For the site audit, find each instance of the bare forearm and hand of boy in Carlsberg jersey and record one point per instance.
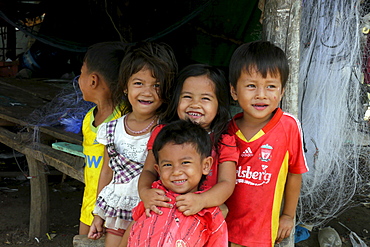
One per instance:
(291, 195)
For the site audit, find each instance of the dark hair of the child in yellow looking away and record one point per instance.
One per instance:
(105, 59)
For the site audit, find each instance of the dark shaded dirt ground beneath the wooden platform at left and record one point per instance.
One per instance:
(65, 203)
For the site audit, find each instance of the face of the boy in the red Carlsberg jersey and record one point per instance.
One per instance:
(257, 96)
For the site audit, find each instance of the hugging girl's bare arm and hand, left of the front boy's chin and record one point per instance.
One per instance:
(152, 198)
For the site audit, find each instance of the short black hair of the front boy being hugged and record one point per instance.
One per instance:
(180, 132)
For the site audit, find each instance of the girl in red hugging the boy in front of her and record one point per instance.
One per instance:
(202, 96)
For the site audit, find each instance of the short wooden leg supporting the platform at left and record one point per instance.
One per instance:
(39, 212)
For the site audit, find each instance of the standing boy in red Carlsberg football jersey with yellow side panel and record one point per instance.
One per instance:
(271, 149)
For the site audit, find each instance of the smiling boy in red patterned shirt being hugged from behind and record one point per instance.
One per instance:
(182, 151)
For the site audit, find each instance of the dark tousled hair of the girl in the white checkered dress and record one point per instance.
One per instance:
(157, 57)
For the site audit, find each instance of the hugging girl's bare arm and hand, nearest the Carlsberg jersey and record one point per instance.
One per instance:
(192, 203)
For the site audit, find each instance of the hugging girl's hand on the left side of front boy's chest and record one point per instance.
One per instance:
(153, 198)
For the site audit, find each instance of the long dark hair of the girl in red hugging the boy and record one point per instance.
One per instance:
(222, 92)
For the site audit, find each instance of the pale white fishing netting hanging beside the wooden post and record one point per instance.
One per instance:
(332, 102)
